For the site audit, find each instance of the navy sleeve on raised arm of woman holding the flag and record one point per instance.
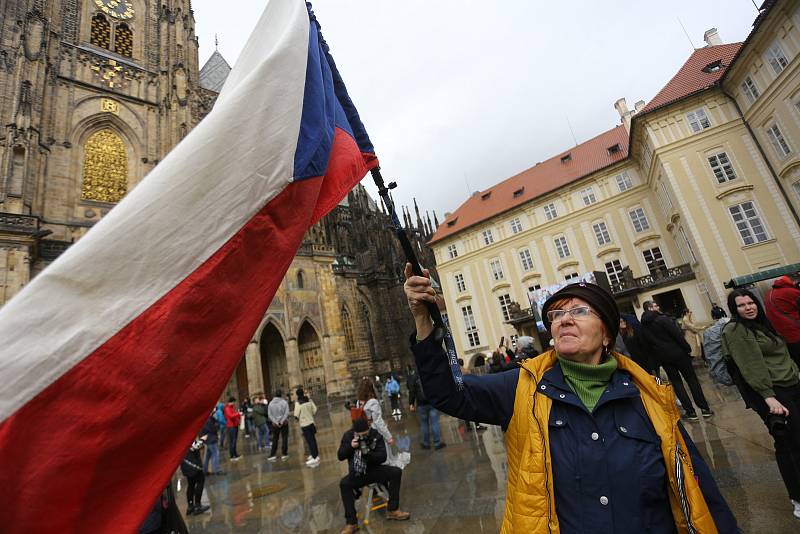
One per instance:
(484, 399)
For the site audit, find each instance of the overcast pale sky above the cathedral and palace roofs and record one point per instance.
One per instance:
(458, 95)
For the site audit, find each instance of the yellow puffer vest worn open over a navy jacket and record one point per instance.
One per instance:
(530, 506)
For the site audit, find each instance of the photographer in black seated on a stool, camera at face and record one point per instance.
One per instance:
(364, 449)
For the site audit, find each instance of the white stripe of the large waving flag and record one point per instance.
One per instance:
(201, 194)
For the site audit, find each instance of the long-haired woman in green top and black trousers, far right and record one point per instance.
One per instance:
(767, 379)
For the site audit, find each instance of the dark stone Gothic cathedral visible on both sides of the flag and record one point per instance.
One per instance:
(93, 94)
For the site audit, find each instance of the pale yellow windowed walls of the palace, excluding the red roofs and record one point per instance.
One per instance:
(689, 208)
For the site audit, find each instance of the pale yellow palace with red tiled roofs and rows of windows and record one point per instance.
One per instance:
(691, 191)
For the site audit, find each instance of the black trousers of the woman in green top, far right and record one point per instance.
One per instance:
(787, 441)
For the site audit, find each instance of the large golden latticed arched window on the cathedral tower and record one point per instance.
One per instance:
(105, 167)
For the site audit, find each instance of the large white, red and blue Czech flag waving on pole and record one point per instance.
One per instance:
(113, 357)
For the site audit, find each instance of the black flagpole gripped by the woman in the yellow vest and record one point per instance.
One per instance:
(441, 332)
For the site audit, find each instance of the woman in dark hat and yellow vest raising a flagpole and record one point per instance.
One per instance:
(594, 442)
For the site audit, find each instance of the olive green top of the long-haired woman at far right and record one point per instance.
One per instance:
(763, 361)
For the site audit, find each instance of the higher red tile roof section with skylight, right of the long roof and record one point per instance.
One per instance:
(691, 78)
